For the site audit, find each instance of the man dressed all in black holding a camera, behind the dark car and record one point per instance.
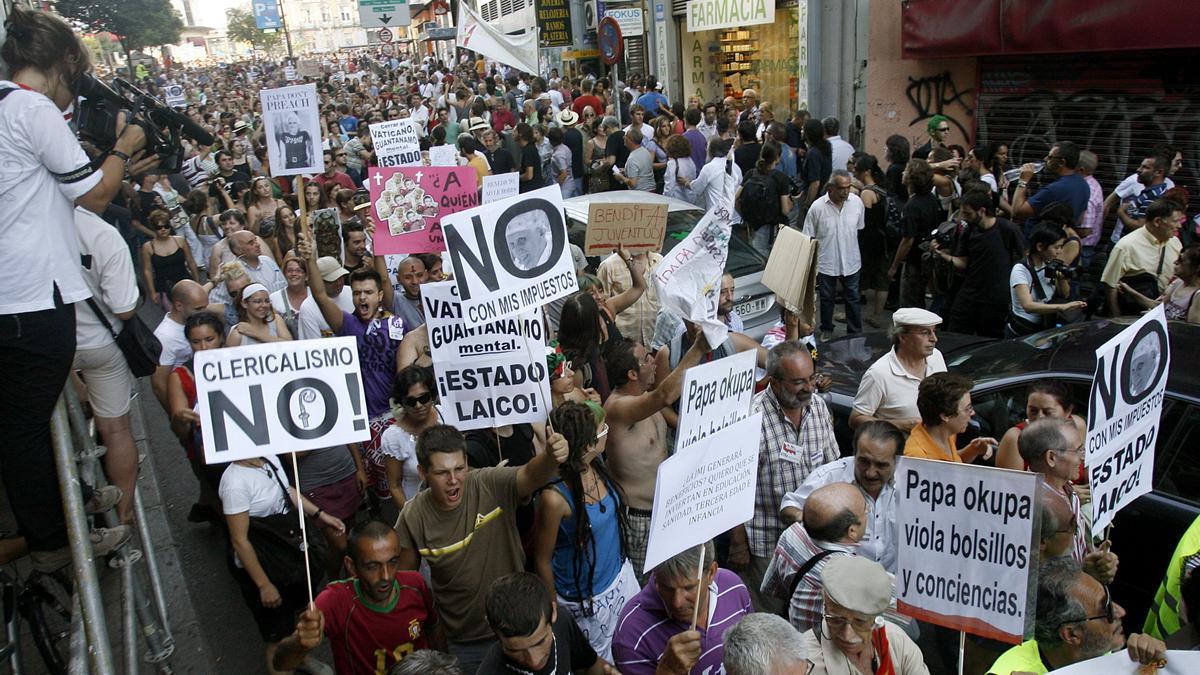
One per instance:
(986, 254)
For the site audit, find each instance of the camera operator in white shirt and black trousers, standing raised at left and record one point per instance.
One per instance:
(44, 175)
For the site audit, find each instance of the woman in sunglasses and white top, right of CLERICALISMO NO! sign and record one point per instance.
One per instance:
(415, 407)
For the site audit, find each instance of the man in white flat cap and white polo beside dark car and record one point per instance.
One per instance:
(889, 390)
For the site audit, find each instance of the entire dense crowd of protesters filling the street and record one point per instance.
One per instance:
(521, 548)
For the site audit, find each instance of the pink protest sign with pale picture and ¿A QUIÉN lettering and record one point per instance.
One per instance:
(410, 204)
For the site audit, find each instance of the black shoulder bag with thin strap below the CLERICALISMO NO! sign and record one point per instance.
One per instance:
(279, 545)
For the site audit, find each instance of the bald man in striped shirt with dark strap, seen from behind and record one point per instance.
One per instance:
(833, 524)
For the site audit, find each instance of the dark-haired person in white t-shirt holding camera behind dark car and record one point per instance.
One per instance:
(1036, 282)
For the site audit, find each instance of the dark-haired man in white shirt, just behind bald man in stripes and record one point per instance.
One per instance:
(873, 471)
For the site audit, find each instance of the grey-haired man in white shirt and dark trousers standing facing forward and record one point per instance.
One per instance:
(835, 222)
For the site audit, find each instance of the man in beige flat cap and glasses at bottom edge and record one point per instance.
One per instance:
(854, 637)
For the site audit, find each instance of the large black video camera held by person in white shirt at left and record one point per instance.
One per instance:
(165, 128)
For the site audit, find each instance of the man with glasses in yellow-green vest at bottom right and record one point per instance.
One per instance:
(1077, 620)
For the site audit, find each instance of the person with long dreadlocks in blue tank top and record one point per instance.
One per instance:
(579, 552)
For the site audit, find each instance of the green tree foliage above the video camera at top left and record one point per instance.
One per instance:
(136, 23)
